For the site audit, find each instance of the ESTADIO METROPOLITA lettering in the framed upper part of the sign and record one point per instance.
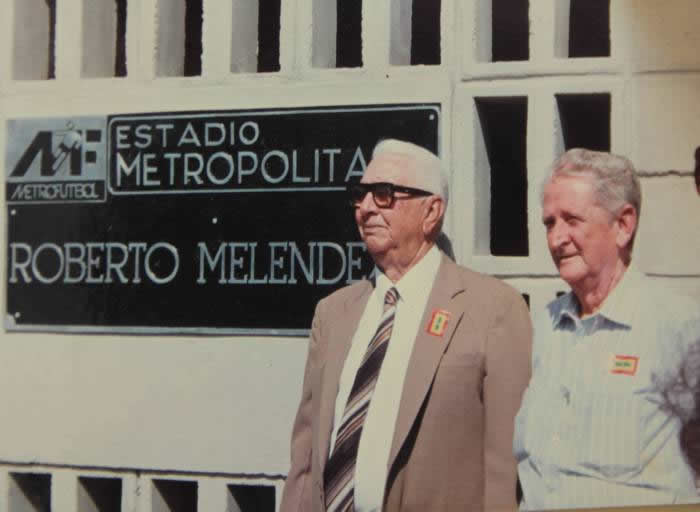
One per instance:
(215, 155)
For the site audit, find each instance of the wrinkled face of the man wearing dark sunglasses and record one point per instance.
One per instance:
(394, 233)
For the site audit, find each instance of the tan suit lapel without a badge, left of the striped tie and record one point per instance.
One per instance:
(340, 340)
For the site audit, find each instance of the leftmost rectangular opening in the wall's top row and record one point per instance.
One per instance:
(34, 56)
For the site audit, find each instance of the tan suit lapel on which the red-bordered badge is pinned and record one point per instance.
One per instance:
(427, 352)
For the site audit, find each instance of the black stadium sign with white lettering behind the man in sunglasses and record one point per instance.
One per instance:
(216, 222)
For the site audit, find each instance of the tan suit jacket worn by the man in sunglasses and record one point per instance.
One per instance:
(452, 445)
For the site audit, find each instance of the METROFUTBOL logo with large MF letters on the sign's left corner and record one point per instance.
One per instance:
(64, 163)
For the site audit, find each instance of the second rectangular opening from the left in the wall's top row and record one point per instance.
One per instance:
(104, 38)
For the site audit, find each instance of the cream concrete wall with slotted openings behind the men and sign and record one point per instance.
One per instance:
(213, 414)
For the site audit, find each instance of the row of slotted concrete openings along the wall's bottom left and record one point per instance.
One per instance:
(30, 488)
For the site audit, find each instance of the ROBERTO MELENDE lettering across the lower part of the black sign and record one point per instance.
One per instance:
(228, 263)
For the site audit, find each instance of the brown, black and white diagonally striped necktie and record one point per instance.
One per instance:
(339, 474)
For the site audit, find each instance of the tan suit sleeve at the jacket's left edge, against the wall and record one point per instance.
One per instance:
(297, 493)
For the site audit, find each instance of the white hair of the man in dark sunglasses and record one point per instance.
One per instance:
(431, 175)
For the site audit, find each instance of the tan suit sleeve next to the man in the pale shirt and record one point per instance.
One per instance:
(508, 352)
